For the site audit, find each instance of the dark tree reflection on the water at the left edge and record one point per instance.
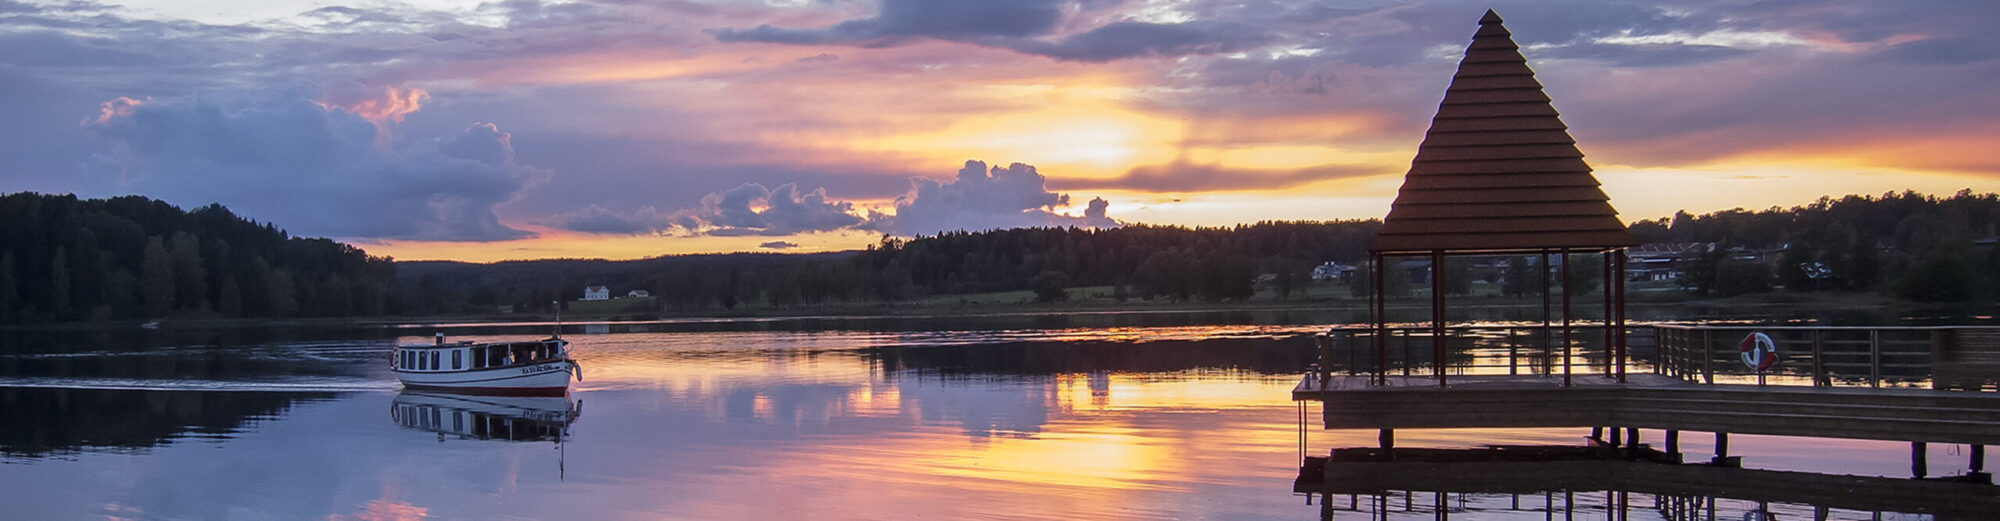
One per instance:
(51, 422)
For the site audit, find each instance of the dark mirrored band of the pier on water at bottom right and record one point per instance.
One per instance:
(1617, 490)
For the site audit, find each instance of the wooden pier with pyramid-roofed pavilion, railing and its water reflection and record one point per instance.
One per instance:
(1499, 175)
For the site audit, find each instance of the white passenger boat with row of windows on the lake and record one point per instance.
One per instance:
(529, 368)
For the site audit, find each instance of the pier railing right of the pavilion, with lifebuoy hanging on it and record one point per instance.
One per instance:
(1927, 358)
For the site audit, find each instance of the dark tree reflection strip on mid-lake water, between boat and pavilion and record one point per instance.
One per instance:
(1259, 356)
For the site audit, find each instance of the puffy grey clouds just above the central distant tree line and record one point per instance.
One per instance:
(977, 199)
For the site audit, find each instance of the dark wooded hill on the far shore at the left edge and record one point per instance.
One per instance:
(133, 257)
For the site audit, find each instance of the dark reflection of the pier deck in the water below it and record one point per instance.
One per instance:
(1675, 492)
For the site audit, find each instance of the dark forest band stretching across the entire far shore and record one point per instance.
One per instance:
(131, 257)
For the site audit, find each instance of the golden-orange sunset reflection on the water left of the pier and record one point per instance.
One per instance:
(1089, 444)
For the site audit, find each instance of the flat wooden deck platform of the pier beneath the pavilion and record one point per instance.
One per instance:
(1655, 402)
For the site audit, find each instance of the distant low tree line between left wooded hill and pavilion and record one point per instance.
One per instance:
(1177, 264)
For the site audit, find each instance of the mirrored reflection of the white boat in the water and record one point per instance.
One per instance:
(487, 418)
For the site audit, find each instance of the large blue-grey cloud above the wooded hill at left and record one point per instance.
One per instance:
(313, 169)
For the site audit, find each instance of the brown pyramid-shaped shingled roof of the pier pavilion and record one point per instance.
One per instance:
(1499, 169)
